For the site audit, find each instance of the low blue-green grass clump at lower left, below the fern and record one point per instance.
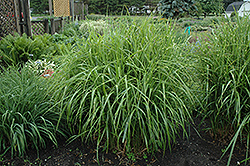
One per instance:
(28, 116)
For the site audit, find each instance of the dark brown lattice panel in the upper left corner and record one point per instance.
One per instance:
(7, 17)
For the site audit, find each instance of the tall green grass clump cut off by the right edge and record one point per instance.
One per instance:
(224, 68)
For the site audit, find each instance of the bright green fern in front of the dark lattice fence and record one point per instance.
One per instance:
(19, 49)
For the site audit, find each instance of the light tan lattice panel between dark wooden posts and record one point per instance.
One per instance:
(61, 8)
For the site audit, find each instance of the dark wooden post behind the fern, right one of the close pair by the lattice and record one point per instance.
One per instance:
(26, 15)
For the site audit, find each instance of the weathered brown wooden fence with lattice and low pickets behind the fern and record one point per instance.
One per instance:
(15, 17)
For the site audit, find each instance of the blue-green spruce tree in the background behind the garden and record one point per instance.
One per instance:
(175, 8)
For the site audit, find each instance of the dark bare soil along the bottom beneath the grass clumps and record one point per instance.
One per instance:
(196, 151)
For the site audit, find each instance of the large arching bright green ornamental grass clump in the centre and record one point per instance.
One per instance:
(127, 90)
